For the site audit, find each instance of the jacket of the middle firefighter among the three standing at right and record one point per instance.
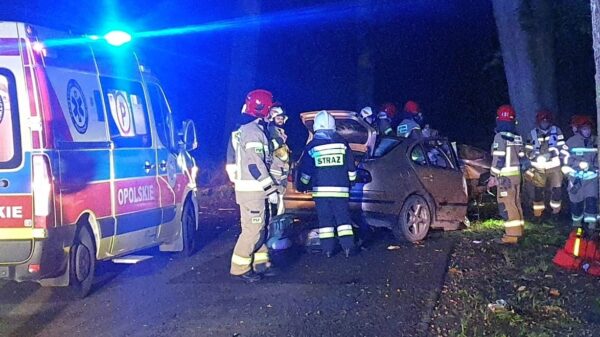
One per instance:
(543, 148)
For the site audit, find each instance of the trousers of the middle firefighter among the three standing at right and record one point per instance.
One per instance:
(552, 177)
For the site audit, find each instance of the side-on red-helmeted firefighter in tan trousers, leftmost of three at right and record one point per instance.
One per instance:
(506, 173)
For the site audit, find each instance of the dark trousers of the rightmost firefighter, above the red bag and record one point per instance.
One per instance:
(584, 202)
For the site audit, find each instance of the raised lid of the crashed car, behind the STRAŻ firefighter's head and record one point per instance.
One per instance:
(359, 135)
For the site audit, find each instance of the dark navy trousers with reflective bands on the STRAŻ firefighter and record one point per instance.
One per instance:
(334, 217)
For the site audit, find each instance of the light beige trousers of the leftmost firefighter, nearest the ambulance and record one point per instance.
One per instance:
(250, 252)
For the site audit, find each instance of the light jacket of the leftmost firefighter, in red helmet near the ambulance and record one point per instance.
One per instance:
(247, 164)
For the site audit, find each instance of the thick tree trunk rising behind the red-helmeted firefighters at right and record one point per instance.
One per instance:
(526, 40)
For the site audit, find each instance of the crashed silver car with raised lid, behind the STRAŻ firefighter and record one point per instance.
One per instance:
(407, 185)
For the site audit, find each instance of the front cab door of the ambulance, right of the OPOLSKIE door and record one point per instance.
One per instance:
(166, 158)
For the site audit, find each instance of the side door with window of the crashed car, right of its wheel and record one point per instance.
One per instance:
(437, 169)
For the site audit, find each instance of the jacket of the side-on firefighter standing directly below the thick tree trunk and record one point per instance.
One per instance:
(506, 155)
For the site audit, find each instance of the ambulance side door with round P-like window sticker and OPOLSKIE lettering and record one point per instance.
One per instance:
(135, 191)
